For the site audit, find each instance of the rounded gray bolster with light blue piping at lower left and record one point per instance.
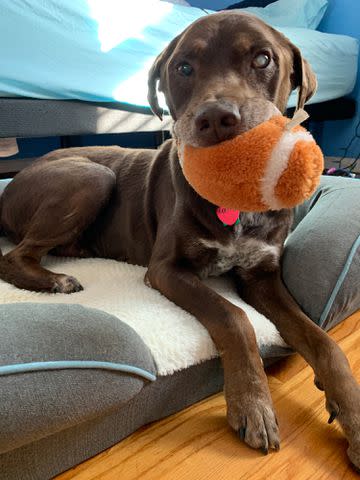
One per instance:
(40, 403)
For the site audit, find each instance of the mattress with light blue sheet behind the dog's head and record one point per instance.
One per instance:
(101, 50)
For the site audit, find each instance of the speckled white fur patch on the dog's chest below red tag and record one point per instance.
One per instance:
(241, 252)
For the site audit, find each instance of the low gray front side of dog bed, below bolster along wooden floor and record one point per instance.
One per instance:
(44, 458)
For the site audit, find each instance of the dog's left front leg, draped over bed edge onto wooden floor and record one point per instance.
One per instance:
(249, 406)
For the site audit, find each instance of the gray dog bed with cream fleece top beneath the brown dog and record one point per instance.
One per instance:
(80, 372)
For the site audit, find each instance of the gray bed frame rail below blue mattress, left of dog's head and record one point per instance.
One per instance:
(26, 117)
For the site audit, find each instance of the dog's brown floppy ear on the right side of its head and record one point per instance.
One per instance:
(302, 78)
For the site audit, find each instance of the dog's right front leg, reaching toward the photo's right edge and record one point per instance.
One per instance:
(267, 293)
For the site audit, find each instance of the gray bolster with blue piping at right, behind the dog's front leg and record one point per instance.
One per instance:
(321, 262)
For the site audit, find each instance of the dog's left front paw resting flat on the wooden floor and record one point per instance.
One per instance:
(252, 416)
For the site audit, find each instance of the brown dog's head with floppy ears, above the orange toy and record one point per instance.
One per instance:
(224, 74)
